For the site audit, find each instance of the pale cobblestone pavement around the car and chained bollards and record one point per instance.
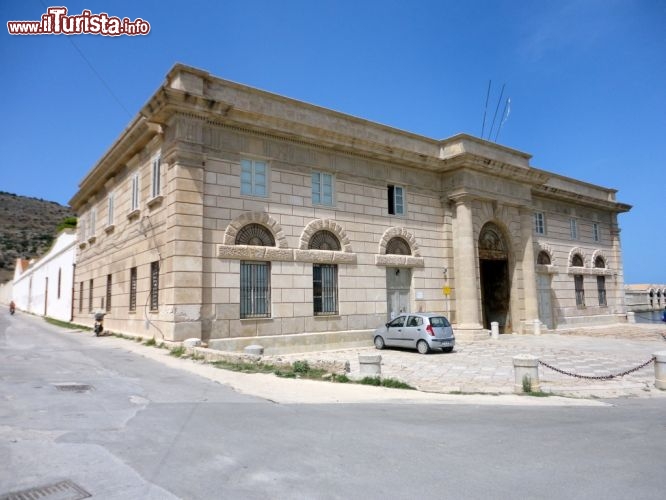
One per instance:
(486, 366)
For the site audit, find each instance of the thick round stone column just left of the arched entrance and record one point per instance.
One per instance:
(465, 262)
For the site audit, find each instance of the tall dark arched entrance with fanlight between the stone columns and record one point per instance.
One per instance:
(494, 277)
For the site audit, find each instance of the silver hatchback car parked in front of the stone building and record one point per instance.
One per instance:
(423, 331)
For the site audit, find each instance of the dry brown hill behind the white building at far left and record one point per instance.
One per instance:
(28, 226)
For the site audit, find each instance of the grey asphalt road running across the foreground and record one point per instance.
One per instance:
(145, 430)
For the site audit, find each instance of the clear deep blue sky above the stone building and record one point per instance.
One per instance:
(586, 78)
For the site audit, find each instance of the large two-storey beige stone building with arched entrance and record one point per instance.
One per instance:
(223, 211)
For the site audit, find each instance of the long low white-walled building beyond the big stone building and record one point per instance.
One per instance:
(44, 287)
